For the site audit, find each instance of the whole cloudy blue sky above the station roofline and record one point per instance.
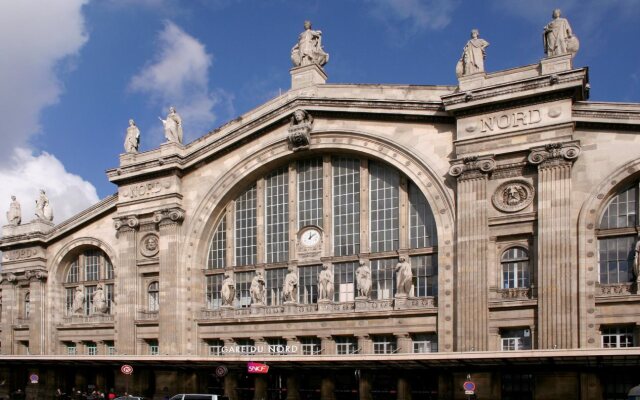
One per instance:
(74, 71)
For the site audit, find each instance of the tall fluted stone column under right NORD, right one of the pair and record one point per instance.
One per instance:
(557, 271)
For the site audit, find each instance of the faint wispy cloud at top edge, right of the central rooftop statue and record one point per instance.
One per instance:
(407, 17)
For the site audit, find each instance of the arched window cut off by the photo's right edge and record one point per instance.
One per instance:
(617, 237)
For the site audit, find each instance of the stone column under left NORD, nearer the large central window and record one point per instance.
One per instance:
(172, 302)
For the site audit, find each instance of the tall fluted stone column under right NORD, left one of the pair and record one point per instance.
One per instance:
(473, 240)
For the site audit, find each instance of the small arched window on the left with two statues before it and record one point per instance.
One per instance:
(85, 272)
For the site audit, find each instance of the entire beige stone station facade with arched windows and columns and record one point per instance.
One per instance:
(513, 198)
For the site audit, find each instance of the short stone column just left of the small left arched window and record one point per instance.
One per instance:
(37, 313)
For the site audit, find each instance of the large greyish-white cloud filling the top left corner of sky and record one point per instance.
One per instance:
(37, 37)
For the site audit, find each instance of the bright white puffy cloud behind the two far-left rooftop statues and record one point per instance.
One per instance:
(27, 174)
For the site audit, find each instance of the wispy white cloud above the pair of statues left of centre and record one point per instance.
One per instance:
(179, 76)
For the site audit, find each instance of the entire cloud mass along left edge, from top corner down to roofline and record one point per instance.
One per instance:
(40, 44)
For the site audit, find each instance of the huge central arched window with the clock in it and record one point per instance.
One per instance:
(360, 207)
